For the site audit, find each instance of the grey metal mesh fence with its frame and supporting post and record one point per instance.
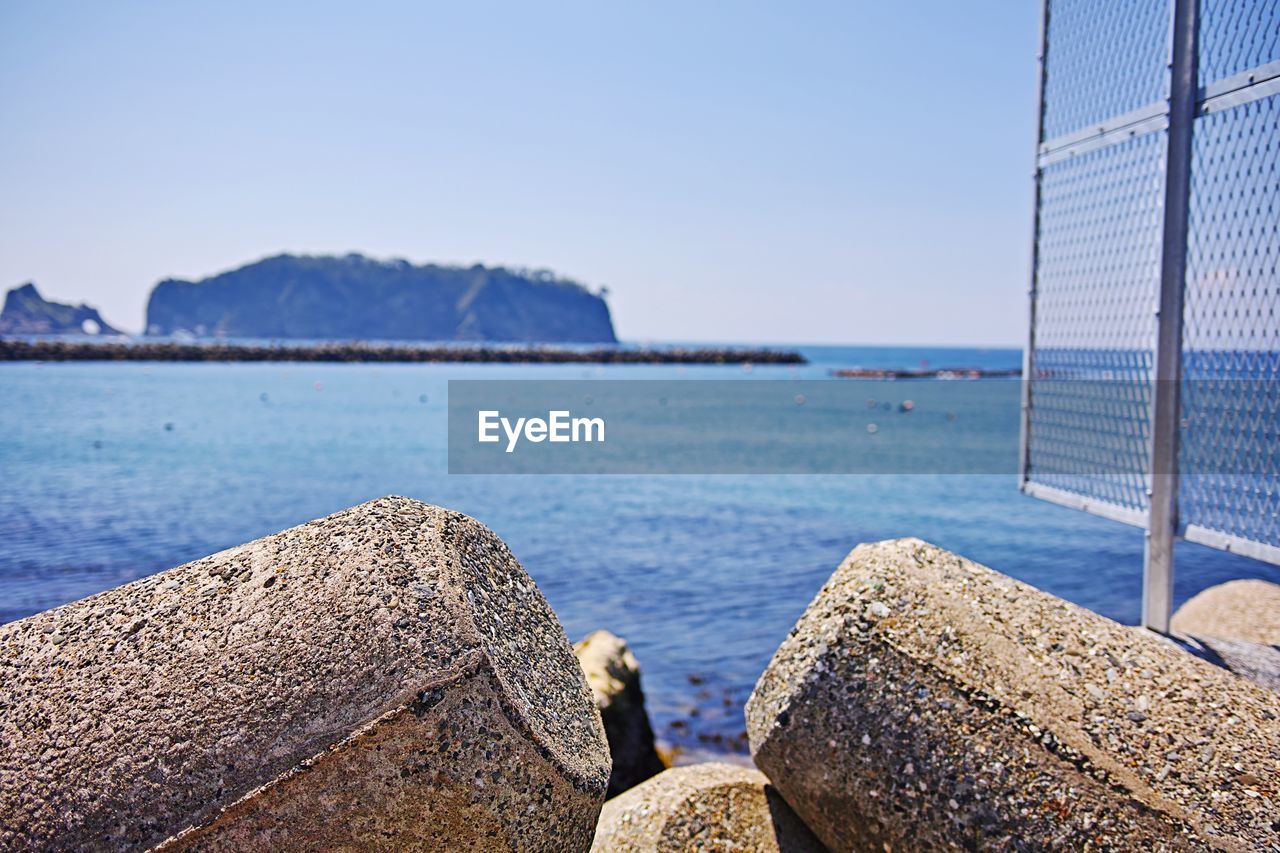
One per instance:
(1159, 186)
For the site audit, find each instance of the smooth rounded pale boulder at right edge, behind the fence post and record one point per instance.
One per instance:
(1240, 610)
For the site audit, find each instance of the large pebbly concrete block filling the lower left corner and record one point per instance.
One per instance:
(385, 678)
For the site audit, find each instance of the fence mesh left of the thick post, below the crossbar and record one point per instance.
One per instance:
(1098, 279)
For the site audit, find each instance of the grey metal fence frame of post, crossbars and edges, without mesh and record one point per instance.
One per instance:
(1187, 101)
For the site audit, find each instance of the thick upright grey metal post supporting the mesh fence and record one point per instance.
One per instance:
(1158, 582)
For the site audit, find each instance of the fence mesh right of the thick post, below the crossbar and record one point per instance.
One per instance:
(1231, 404)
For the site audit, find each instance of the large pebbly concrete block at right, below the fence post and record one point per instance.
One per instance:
(925, 701)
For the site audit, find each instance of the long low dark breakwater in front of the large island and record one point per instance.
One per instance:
(364, 353)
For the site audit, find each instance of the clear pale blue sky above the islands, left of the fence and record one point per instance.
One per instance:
(845, 172)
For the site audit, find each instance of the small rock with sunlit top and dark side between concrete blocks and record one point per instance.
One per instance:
(614, 676)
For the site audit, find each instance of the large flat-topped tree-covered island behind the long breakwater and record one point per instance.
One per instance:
(358, 298)
